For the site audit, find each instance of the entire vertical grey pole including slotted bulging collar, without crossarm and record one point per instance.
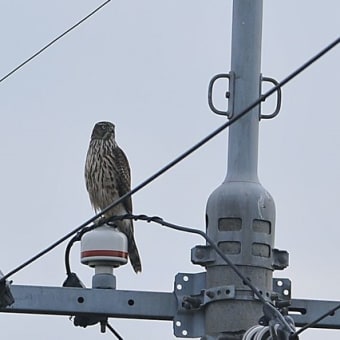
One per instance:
(240, 212)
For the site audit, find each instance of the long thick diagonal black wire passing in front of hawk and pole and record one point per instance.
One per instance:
(179, 158)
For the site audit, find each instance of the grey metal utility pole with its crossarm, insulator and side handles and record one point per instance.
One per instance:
(219, 303)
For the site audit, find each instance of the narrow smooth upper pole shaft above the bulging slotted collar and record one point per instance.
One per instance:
(246, 64)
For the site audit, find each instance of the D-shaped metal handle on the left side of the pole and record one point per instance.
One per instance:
(229, 94)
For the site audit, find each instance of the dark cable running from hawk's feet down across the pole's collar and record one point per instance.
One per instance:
(244, 279)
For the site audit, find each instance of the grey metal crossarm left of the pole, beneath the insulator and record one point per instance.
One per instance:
(100, 302)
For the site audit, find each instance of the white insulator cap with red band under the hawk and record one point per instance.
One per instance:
(104, 246)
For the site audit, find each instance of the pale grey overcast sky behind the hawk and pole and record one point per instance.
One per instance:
(145, 65)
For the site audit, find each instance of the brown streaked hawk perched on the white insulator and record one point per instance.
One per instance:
(107, 175)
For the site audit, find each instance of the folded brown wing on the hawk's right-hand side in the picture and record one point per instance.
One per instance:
(124, 176)
